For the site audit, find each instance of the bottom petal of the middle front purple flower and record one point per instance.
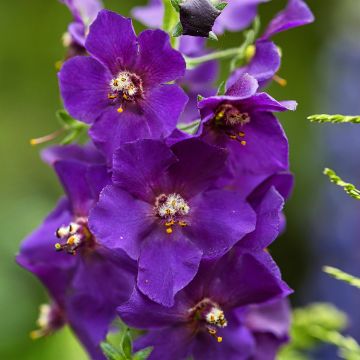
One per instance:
(167, 264)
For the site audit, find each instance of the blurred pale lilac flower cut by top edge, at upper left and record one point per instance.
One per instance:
(84, 12)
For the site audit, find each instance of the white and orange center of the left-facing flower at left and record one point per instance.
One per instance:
(74, 236)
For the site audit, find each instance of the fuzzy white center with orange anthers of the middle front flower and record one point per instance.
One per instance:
(172, 209)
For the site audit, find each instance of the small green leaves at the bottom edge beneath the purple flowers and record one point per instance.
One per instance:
(123, 349)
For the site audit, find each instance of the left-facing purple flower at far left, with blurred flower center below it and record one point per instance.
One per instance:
(86, 288)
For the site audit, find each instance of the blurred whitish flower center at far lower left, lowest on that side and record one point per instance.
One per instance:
(50, 319)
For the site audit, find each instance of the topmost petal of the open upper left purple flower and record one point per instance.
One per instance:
(112, 41)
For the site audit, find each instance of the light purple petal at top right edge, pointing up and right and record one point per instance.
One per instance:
(296, 13)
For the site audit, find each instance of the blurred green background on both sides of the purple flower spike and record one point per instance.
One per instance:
(30, 34)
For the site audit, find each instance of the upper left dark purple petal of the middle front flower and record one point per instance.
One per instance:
(139, 166)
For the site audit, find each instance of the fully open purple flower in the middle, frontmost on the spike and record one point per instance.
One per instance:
(164, 211)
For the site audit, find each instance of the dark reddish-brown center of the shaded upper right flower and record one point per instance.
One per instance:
(229, 119)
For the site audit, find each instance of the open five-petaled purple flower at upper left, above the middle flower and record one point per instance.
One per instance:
(121, 88)
